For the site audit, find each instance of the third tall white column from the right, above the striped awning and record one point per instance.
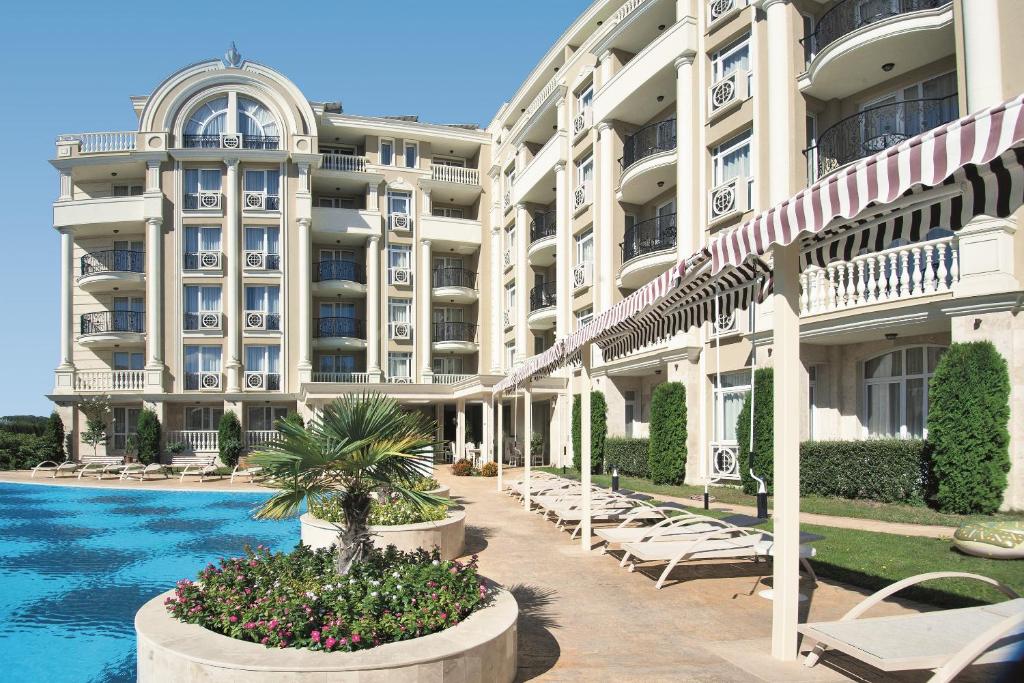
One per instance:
(687, 238)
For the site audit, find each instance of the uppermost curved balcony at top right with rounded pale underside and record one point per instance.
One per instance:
(856, 37)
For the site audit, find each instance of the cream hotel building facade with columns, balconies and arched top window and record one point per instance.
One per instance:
(649, 127)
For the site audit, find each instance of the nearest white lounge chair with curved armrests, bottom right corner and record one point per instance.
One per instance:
(947, 642)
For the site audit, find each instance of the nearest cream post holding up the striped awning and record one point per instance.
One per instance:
(786, 346)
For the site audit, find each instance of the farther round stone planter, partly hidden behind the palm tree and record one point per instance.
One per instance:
(449, 535)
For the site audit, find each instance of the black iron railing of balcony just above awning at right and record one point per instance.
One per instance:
(878, 129)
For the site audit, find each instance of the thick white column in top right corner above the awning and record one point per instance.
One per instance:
(983, 55)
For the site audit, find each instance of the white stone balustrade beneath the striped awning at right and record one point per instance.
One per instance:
(893, 275)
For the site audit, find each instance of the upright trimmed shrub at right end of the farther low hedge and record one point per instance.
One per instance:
(667, 456)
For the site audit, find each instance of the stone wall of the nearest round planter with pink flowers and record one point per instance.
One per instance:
(482, 649)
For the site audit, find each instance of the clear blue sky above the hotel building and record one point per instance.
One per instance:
(71, 67)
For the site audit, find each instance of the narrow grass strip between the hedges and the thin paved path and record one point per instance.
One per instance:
(837, 507)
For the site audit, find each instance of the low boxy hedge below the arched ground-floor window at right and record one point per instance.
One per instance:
(889, 471)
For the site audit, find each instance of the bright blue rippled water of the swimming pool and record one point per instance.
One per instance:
(76, 564)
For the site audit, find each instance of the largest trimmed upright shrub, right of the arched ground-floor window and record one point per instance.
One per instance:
(969, 411)
